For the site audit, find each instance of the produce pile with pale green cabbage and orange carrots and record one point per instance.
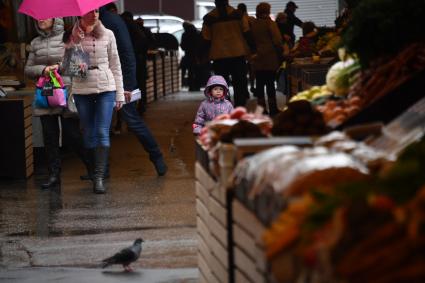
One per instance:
(350, 89)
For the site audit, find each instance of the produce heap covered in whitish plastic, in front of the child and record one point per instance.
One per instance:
(269, 179)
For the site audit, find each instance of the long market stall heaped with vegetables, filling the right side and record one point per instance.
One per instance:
(346, 205)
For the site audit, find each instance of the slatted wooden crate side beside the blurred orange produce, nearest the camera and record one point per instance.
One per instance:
(250, 264)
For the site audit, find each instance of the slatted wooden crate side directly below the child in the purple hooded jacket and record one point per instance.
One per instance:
(214, 260)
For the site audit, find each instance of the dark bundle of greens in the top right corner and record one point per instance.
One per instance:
(379, 29)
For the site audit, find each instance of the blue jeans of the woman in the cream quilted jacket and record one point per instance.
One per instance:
(95, 112)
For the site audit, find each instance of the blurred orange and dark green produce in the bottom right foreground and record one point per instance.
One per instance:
(368, 231)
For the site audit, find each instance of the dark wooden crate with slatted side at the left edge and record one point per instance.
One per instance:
(16, 148)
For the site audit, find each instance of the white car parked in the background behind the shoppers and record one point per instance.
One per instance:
(161, 22)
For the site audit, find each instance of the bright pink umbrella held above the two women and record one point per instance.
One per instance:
(46, 9)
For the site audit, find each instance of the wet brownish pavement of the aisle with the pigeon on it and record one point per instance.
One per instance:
(62, 234)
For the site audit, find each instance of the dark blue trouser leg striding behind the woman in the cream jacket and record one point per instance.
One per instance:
(136, 124)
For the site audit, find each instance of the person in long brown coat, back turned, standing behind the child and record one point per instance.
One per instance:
(269, 44)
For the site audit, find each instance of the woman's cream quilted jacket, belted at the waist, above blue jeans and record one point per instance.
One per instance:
(105, 68)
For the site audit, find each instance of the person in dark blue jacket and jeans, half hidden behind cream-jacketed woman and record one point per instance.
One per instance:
(129, 112)
